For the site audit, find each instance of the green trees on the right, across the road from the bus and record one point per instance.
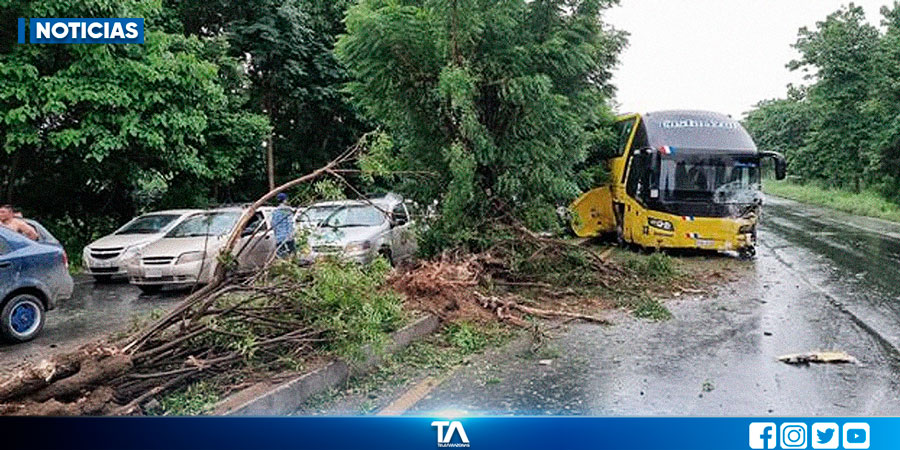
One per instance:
(841, 129)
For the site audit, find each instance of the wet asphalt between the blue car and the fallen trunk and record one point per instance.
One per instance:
(94, 311)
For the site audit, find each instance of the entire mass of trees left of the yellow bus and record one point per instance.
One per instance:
(480, 102)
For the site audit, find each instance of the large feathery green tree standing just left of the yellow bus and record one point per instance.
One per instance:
(495, 102)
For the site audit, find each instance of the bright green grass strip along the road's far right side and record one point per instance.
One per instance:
(865, 203)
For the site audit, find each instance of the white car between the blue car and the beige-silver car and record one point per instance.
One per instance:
(106, 257)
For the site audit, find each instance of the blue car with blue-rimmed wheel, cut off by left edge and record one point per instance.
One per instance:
(34, 275)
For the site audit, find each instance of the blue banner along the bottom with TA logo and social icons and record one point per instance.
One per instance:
(276, 433)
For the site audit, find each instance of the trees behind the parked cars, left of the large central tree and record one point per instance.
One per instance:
(92, 134)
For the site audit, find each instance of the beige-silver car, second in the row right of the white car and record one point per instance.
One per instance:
(187, 255)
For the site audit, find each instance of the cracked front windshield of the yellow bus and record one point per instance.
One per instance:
(722, 179)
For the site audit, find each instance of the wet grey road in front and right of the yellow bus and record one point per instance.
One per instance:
(822, 280)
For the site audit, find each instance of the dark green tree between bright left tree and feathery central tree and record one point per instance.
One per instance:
(294, 78)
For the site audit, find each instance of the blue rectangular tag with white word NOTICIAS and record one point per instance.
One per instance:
(82, 31)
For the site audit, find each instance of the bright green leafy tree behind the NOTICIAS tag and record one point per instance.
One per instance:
(92, 133)
